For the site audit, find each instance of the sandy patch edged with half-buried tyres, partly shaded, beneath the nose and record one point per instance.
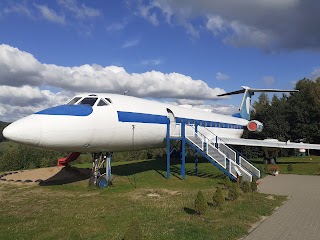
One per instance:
(47, 176)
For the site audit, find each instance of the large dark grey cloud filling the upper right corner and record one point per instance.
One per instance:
(266, 24)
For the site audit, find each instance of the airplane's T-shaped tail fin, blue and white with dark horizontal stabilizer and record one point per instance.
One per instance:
(245, 107)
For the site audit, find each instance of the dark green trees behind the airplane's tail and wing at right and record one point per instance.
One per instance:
(294, 117)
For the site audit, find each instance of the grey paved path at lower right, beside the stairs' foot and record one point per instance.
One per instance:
(299, 217)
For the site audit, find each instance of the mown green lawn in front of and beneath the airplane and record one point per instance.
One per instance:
(75, 211)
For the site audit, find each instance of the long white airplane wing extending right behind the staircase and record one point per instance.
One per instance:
(269, 143)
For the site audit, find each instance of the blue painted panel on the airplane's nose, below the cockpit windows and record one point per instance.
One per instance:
(69, 110)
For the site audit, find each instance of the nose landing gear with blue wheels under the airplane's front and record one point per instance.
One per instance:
(101, 170)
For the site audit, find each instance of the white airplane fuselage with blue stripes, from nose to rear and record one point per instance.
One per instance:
(110, 122)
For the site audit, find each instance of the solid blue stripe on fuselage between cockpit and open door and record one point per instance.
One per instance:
(142, 118)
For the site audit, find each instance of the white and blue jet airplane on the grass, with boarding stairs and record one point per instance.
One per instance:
(109, 123)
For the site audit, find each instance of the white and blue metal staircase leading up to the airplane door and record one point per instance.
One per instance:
(211, 147)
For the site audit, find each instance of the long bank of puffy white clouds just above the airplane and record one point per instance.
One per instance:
(21, 74)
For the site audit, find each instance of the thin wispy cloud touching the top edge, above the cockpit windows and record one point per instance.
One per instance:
(80, 11)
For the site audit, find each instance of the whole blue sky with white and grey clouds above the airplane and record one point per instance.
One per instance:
(182, 52)
